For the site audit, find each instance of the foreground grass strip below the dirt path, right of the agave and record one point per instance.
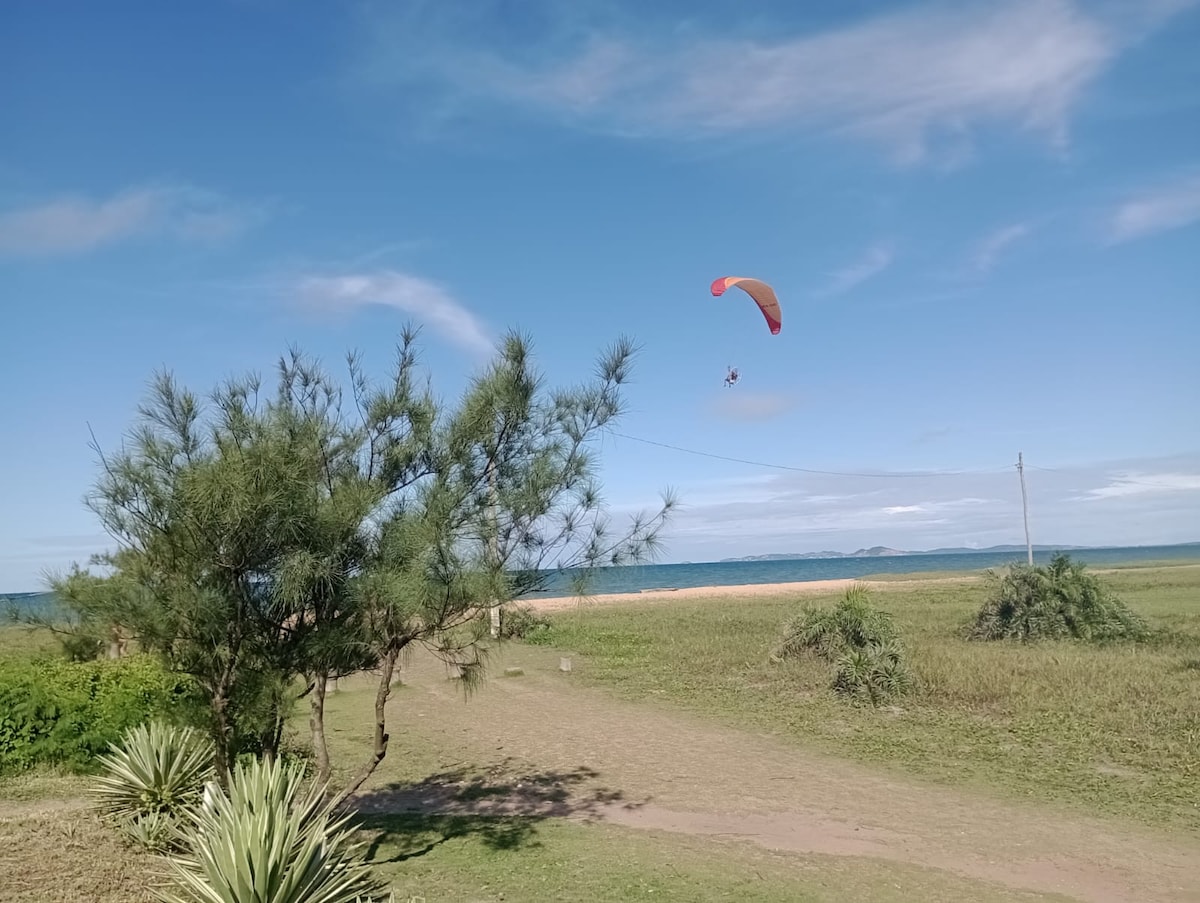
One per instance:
(465, 859)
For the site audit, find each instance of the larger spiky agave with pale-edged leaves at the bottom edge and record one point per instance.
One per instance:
(269, 841)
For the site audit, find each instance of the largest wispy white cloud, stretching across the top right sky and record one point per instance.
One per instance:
(933, 73)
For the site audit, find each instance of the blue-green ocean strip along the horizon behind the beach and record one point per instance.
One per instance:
(637, 578)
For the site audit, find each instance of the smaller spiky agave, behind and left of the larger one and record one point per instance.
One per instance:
(153, 779)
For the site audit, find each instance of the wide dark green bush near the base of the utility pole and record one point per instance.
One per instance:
(1060, 601)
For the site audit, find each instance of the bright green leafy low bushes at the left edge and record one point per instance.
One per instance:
(68, 714)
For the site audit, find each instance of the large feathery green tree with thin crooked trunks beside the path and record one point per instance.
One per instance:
(272, 541)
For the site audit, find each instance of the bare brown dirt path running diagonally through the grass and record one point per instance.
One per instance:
(647, 767)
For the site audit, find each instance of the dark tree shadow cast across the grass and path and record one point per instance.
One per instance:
(500, 806)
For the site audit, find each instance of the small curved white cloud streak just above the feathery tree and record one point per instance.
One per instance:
(425, 300)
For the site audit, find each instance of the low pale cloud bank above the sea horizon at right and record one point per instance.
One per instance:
(1150, 501)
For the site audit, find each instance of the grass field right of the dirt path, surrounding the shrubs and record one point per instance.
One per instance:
(1109, 729)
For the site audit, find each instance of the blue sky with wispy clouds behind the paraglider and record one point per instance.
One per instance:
(982, 220)
